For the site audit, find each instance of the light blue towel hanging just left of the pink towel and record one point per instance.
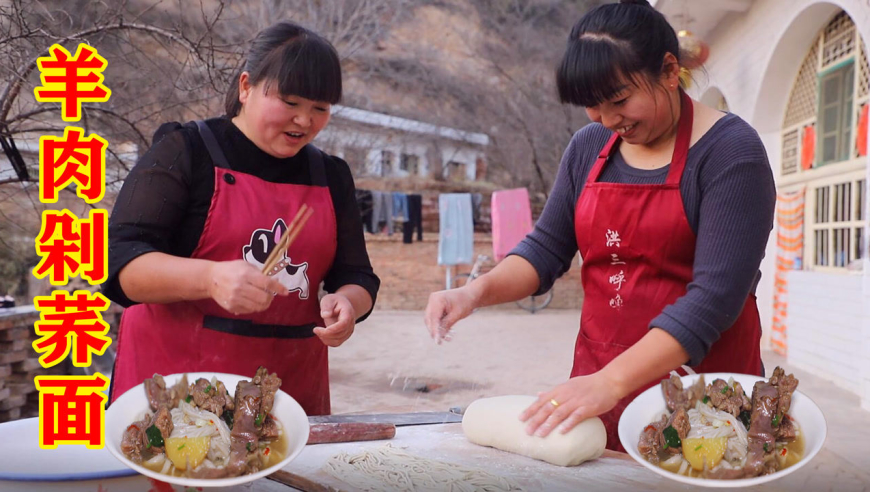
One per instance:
(456, 236)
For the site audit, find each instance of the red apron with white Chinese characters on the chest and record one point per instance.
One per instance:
(638, 251)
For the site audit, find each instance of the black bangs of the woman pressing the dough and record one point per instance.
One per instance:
(594, 70)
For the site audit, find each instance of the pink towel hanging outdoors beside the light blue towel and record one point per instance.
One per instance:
(511, 220)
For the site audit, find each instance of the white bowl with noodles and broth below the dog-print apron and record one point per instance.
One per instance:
(134, 404)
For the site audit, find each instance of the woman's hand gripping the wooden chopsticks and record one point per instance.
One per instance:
(241, 288)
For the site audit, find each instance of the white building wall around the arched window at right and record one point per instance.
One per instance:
(754, 58)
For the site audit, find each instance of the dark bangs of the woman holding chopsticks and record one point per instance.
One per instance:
(306, 66)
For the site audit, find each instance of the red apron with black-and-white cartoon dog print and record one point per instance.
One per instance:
(246, 218)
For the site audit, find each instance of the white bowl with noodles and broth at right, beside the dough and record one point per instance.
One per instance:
(651, 406)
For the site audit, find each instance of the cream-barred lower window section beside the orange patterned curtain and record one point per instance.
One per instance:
(837, 228)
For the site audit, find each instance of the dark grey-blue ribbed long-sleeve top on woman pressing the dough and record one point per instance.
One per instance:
(729, 197)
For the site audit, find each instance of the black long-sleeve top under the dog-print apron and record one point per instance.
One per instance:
(165, 199)
